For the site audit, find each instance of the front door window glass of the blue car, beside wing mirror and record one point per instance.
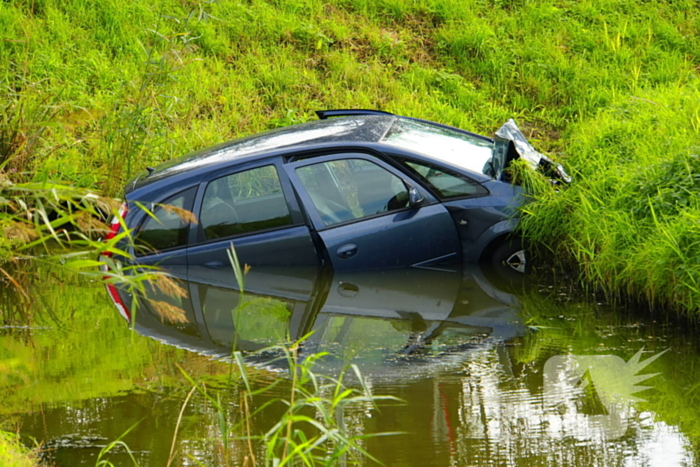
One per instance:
(349, 189)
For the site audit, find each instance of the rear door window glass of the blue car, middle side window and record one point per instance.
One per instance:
(244, 202)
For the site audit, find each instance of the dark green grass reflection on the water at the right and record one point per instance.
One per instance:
(585, 328)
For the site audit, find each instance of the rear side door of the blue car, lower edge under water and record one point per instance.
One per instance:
(252, 207)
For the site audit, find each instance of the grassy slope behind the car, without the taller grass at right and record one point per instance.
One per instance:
(139, 83)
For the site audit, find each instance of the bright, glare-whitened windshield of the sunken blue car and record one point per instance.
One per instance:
(445, 144)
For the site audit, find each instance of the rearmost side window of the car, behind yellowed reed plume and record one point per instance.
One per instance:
(168, 226)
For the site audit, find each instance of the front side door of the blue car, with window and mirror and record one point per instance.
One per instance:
(361, 209)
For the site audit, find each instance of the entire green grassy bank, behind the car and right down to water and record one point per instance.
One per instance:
(92, 92)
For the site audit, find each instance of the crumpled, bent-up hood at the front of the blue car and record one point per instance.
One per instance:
(510, 143)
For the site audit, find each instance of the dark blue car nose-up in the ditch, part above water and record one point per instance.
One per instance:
(356, 190)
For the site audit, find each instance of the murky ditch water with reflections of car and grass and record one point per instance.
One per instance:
(487, 373)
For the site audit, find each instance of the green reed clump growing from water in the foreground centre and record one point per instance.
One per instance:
(310, 429)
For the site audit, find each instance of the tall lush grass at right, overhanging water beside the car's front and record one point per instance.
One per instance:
(631, 218)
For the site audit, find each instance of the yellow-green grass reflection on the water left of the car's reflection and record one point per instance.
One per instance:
(77, 338)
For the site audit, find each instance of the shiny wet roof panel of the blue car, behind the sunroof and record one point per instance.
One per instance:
(353, 129)
